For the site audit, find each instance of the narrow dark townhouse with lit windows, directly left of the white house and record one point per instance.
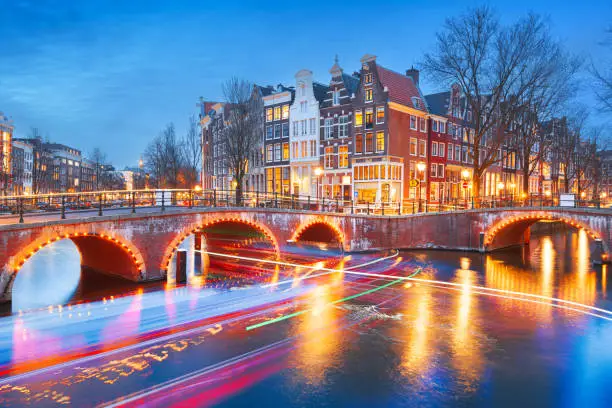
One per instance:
(276, 139)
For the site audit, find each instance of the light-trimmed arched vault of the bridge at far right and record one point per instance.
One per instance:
(516, 231)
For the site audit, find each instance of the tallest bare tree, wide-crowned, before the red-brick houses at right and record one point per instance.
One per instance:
(494, 65)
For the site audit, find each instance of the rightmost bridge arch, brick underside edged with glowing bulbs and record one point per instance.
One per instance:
(514, 230)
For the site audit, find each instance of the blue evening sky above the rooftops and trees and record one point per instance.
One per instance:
(112, 73)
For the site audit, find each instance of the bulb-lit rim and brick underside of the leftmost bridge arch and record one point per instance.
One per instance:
(103, 252)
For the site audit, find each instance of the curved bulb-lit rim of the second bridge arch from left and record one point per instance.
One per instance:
(202, 227)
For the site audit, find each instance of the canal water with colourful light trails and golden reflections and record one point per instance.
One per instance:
(305, 328)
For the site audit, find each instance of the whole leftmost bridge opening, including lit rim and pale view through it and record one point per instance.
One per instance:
(72, 267)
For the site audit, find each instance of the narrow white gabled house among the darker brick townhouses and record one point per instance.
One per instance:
(304, 133)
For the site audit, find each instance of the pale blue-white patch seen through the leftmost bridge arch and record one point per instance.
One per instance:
(51, 276)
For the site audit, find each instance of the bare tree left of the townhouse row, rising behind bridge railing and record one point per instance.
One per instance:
(243, 128)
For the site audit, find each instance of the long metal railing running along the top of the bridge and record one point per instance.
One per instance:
(101, 202)
